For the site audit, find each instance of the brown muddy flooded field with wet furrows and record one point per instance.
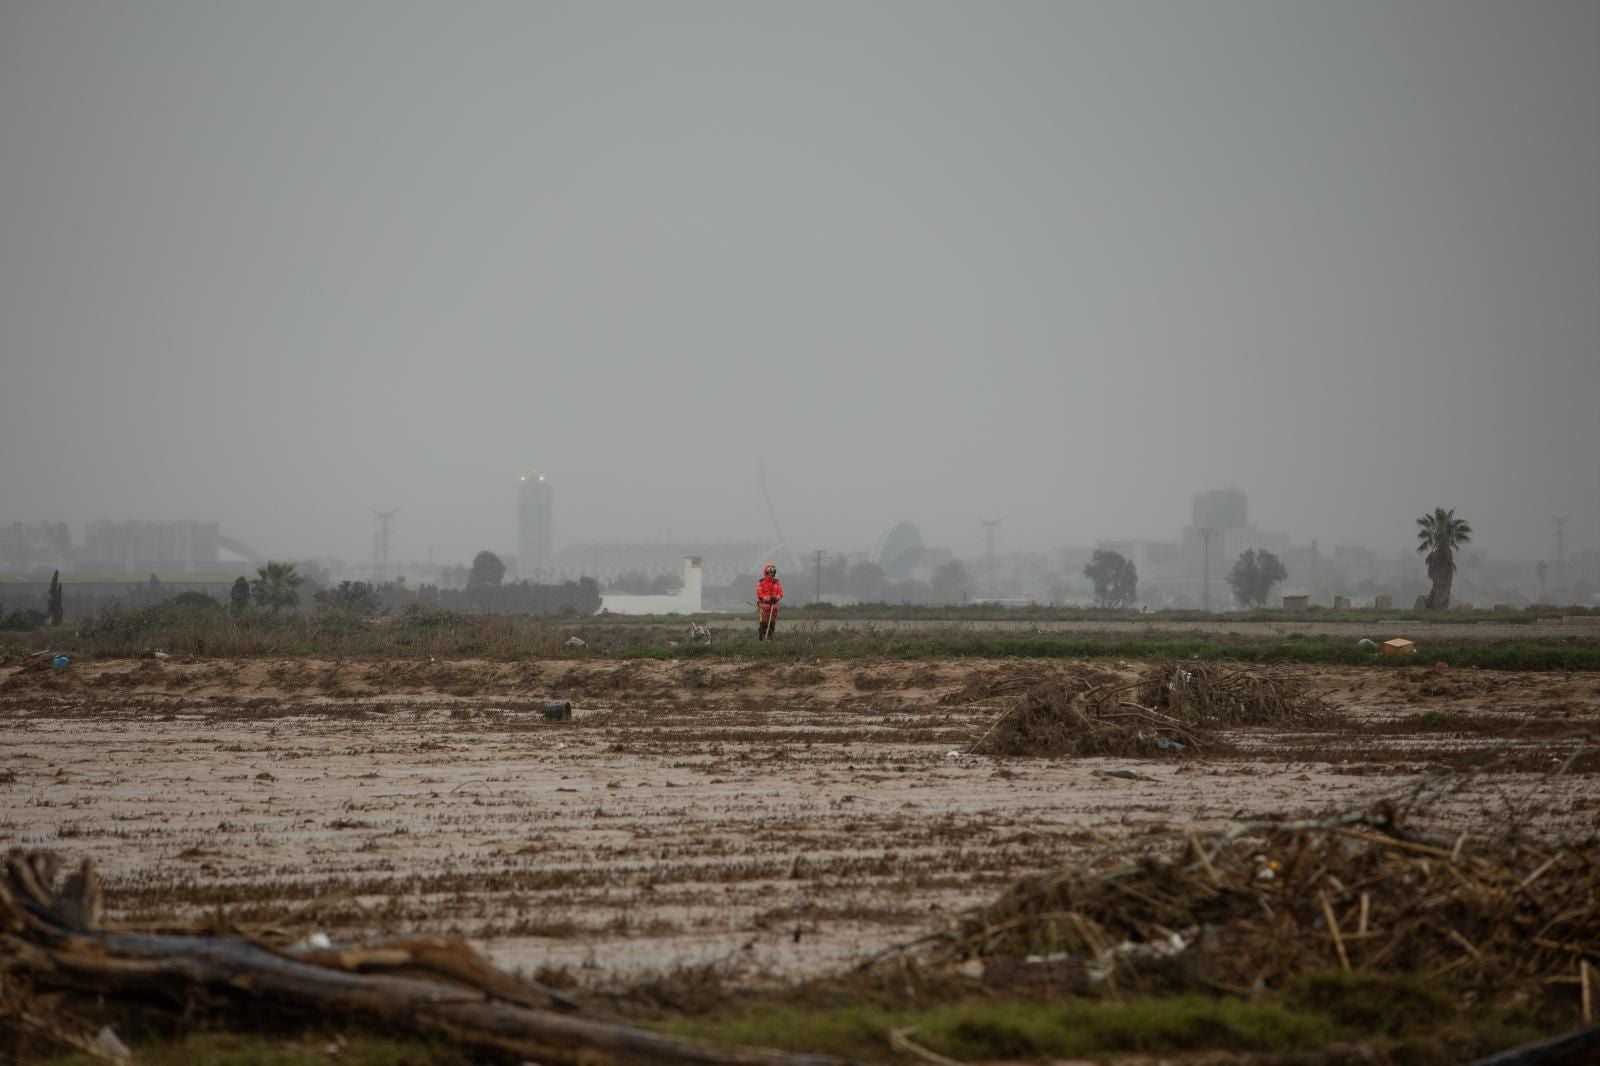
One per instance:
(788, 819)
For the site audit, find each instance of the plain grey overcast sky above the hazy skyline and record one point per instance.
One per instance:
(284, 263)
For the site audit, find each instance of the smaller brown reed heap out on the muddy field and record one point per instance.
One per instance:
(1167, 708)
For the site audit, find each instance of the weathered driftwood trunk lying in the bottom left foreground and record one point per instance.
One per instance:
(63, 977)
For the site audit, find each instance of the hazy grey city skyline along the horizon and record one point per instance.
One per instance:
(1170, 572)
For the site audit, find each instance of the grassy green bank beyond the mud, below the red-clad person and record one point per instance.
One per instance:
(212, 633)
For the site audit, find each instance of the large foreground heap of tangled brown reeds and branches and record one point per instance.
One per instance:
(1263, 904)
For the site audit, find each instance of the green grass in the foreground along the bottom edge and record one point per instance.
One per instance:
(1321, 1019)
